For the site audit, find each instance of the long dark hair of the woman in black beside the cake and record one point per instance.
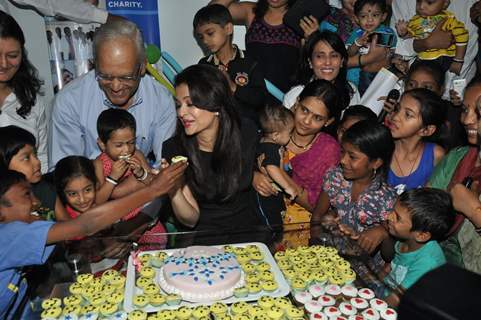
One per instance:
(209, 90)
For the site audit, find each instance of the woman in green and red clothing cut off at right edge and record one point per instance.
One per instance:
(463, 244)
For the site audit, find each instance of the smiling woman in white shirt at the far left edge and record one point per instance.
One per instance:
(20, 103)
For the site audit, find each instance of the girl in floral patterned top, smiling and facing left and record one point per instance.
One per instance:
(356, 189)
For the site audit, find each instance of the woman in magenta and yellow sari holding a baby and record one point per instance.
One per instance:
(309, 153)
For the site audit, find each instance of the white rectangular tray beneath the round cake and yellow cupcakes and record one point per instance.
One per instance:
(131, 289)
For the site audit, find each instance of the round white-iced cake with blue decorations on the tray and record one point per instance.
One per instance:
(201, 273)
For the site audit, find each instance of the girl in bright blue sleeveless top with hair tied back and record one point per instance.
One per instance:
(418, 119)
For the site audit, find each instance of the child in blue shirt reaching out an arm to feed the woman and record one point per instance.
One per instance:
(26, 240)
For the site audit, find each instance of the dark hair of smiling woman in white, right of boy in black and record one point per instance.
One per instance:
(305, 73)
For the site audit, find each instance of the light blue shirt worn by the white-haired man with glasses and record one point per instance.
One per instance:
(73, 129)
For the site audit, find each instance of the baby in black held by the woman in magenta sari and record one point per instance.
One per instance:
(277, 124)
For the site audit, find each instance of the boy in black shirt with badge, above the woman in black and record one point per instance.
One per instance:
(213, 25)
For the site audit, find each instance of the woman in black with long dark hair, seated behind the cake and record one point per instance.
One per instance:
(221, 151)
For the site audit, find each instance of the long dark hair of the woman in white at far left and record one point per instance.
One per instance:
(25, 83)
